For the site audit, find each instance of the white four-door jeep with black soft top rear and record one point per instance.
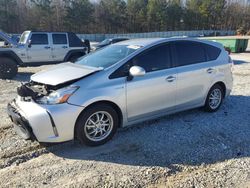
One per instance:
(38, 48)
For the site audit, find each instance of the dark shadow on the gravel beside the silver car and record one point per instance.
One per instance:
(192, 137)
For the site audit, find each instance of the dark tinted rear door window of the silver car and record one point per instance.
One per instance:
(189, 52)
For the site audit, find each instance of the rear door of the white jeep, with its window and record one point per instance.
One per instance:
(60, 46)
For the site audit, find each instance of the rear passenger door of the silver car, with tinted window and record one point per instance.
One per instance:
(194, 73)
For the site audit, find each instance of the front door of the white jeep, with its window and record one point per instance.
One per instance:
(40, 48)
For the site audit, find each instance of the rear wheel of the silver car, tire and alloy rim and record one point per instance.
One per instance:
(214, 98)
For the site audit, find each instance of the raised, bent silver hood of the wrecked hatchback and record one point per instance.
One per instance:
(63, 73)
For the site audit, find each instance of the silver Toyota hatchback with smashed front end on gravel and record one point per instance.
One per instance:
(120, 85)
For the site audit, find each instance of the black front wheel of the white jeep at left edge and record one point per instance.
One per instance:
(8, 68)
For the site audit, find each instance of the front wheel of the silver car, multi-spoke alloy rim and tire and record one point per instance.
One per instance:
(97, 125)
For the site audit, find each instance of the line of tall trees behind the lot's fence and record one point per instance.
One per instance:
(122, 16)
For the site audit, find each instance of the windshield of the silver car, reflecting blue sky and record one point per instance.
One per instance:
(107, 56)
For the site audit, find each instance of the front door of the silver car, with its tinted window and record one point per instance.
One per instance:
(154, 92)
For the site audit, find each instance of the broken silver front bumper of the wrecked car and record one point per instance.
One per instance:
(44, 123)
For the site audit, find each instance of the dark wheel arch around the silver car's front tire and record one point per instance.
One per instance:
(112, 104)
